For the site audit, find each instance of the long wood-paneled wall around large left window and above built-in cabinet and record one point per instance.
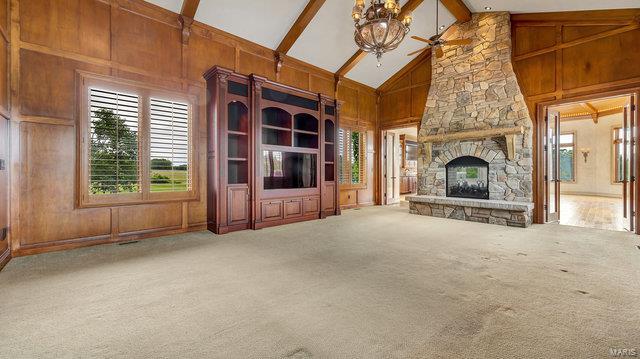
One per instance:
(132, 40)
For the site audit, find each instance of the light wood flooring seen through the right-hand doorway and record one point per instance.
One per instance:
(592, 212)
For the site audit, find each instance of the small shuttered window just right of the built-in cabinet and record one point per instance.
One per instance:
(352, 156)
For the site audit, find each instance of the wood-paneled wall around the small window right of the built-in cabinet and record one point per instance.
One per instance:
(359, 111)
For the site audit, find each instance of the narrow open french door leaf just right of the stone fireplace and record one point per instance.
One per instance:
(552, 166)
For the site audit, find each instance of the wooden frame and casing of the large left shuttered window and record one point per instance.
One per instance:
(144, 92)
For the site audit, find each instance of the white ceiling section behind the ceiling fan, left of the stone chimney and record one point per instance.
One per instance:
(424, 25)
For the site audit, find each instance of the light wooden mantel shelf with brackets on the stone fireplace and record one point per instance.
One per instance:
(509, 134)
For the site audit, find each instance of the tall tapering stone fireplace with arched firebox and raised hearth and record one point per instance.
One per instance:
(475, 140)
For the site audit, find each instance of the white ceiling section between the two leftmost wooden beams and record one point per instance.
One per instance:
(263, 22)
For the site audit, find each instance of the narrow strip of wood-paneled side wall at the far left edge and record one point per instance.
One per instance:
(5, 115)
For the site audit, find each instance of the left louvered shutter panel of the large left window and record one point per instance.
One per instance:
(114, 166)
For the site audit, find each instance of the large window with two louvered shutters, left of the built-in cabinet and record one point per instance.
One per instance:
(136, 144)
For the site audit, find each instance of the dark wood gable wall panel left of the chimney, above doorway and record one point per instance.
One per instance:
(403, 97)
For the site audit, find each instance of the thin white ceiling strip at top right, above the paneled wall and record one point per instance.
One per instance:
(526, 6)
